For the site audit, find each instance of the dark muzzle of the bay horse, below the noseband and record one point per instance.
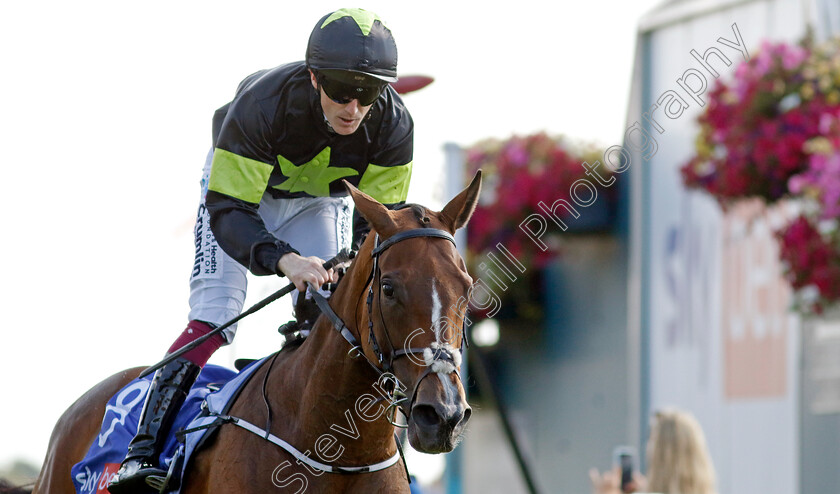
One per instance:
(439, 415)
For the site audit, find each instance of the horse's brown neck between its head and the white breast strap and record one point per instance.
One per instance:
(332, 385)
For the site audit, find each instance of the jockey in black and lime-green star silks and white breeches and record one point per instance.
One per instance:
(272, 197)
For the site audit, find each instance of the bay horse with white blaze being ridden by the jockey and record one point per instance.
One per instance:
(399, 306)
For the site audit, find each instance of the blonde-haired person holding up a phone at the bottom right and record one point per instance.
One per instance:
(678, 460)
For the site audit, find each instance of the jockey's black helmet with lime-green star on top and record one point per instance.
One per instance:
(354, 42)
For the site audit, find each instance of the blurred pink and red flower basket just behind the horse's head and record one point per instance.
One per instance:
(523, 176)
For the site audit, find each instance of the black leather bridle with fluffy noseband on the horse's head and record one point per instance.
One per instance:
(382, 365)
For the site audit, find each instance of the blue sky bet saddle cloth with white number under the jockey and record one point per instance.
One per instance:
(217, 385)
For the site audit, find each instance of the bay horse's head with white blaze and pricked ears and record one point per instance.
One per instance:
(417, 297)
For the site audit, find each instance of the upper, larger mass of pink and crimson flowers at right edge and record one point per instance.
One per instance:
(760, 129)
